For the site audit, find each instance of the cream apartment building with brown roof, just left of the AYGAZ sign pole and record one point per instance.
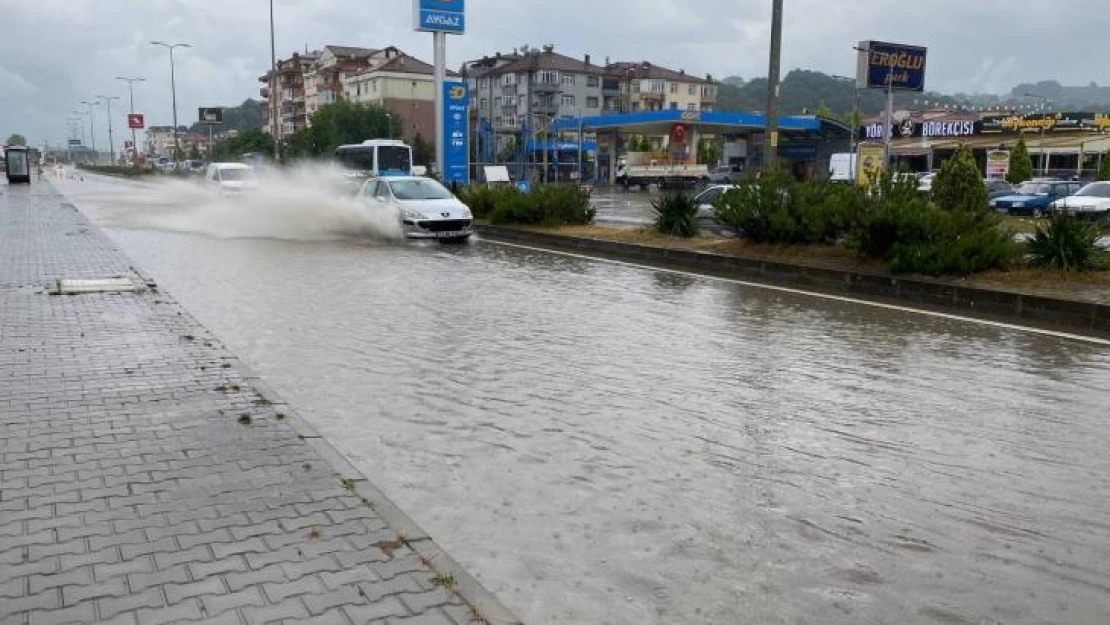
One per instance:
(401, 84)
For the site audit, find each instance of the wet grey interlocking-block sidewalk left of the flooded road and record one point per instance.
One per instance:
(147, 478)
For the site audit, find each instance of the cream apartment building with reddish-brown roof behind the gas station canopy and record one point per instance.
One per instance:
(633, 87)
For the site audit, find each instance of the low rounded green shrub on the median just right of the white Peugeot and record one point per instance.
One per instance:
(549, 206)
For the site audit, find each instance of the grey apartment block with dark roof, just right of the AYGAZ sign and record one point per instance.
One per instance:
(533, 87)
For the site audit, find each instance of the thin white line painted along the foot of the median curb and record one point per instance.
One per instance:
(951, 317)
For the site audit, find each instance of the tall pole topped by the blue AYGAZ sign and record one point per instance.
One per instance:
(440, 18)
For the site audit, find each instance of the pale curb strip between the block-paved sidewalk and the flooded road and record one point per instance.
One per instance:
(467, 587)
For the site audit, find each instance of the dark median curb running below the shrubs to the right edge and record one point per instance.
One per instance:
(1051, 314)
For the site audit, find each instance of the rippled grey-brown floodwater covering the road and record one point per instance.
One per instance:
(601, 443)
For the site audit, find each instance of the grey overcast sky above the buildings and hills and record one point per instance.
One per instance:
(54, 54)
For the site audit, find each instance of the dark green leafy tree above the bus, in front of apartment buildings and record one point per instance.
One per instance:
(340, 124)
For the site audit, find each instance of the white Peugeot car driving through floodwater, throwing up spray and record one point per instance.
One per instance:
(426, 208)
